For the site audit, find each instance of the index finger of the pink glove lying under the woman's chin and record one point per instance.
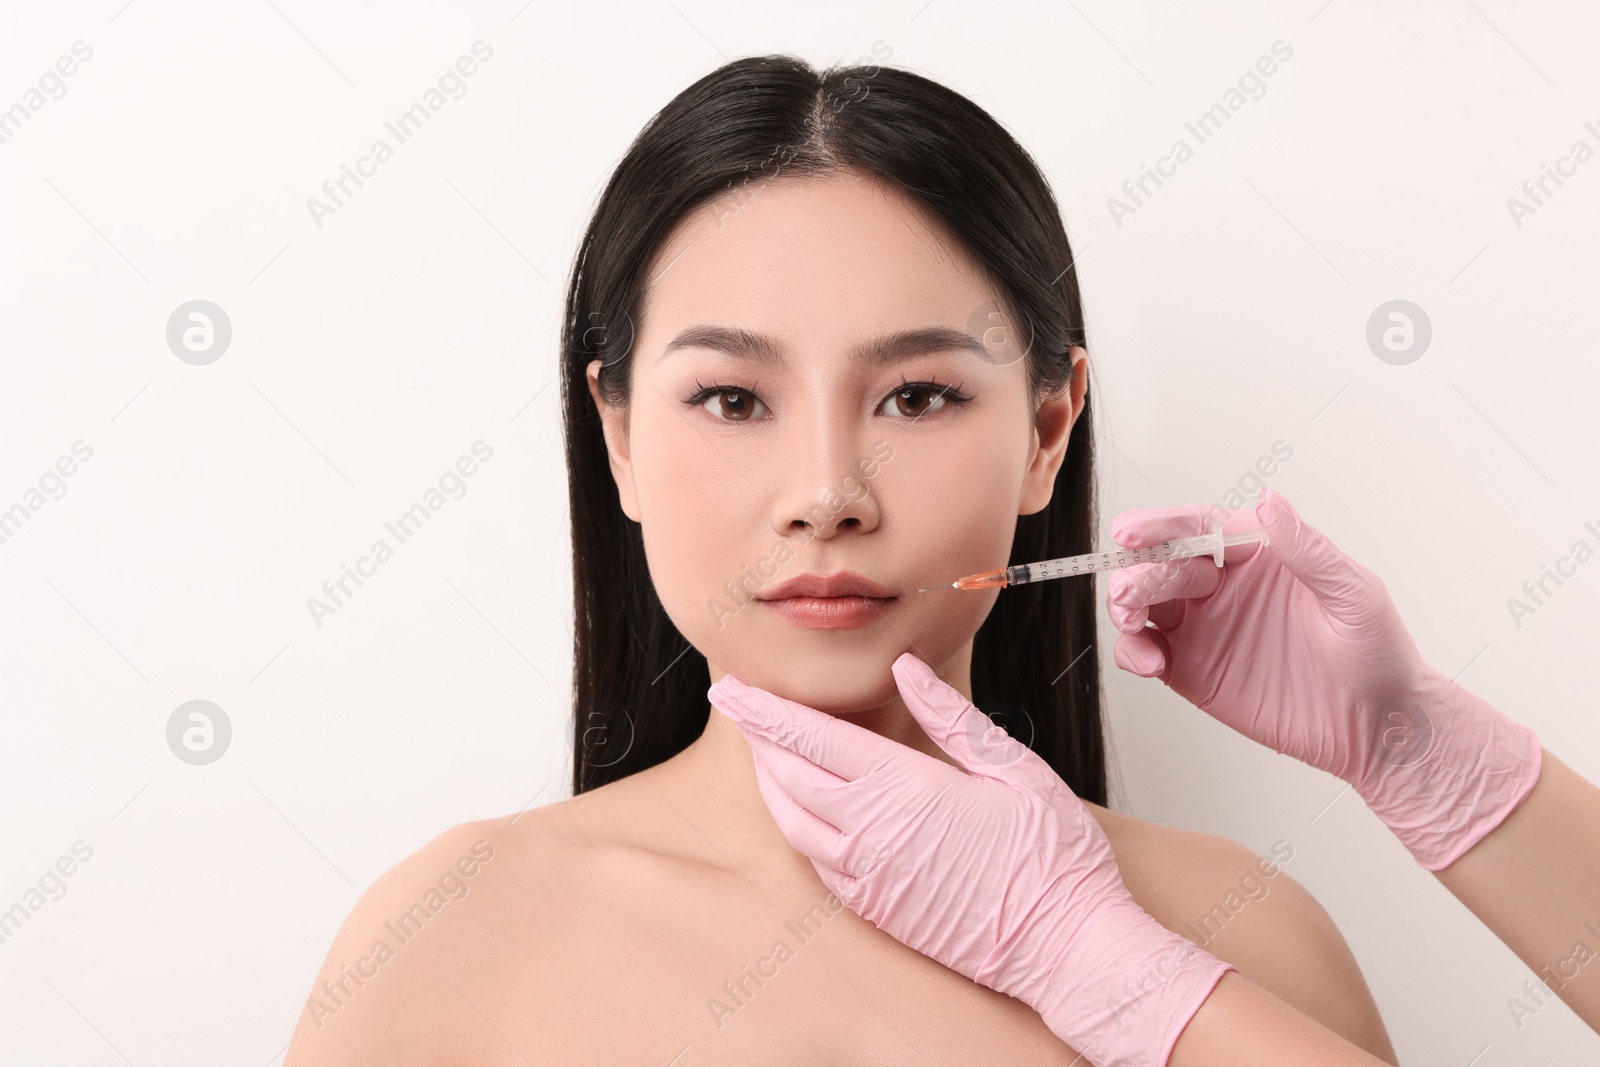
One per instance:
(842, 748)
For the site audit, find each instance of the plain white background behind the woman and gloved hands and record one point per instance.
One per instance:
(1226, 314)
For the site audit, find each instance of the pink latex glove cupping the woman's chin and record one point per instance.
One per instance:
(996, 871)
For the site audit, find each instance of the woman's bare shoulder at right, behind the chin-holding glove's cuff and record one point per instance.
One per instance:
(1249, 911)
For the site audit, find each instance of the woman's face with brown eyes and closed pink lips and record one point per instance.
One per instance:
(759, 449)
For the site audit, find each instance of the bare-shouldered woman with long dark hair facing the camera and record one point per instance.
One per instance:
(823, 338)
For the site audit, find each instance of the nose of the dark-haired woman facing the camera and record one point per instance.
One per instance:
(825, 482)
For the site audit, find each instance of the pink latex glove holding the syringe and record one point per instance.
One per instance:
(1300, 647)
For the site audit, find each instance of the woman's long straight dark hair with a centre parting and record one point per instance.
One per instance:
(639, 689)
